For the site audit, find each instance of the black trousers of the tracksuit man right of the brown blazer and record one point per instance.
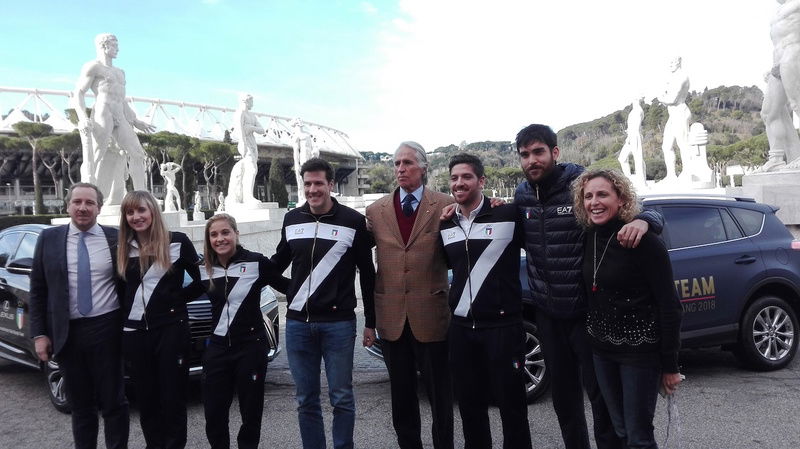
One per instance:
(488, 368)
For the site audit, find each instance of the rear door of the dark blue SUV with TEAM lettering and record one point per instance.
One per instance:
(713, 265)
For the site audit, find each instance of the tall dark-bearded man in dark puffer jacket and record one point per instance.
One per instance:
(554, 246)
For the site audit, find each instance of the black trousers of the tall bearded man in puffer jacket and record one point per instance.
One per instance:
(568, 356)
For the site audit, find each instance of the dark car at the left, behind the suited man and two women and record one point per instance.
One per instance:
(16, 258)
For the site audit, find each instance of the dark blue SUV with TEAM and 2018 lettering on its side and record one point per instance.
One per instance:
(737, 274)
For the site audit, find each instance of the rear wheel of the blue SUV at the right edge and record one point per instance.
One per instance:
(769, 334)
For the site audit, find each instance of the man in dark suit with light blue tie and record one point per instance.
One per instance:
(75, 317)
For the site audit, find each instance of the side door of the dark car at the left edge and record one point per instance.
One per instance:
(12, 336)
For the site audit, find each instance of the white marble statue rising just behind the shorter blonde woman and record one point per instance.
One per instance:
(243, 173)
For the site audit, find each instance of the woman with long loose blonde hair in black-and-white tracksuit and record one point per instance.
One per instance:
(156, 340)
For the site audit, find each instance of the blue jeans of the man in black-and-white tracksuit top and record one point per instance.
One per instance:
(307, 344)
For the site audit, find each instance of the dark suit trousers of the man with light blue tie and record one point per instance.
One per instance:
(91, 364)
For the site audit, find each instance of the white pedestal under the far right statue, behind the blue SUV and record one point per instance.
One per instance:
(780, 189)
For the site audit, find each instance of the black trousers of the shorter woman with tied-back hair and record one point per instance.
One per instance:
(242, 367)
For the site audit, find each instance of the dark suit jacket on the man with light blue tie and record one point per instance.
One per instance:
(49, 295)
